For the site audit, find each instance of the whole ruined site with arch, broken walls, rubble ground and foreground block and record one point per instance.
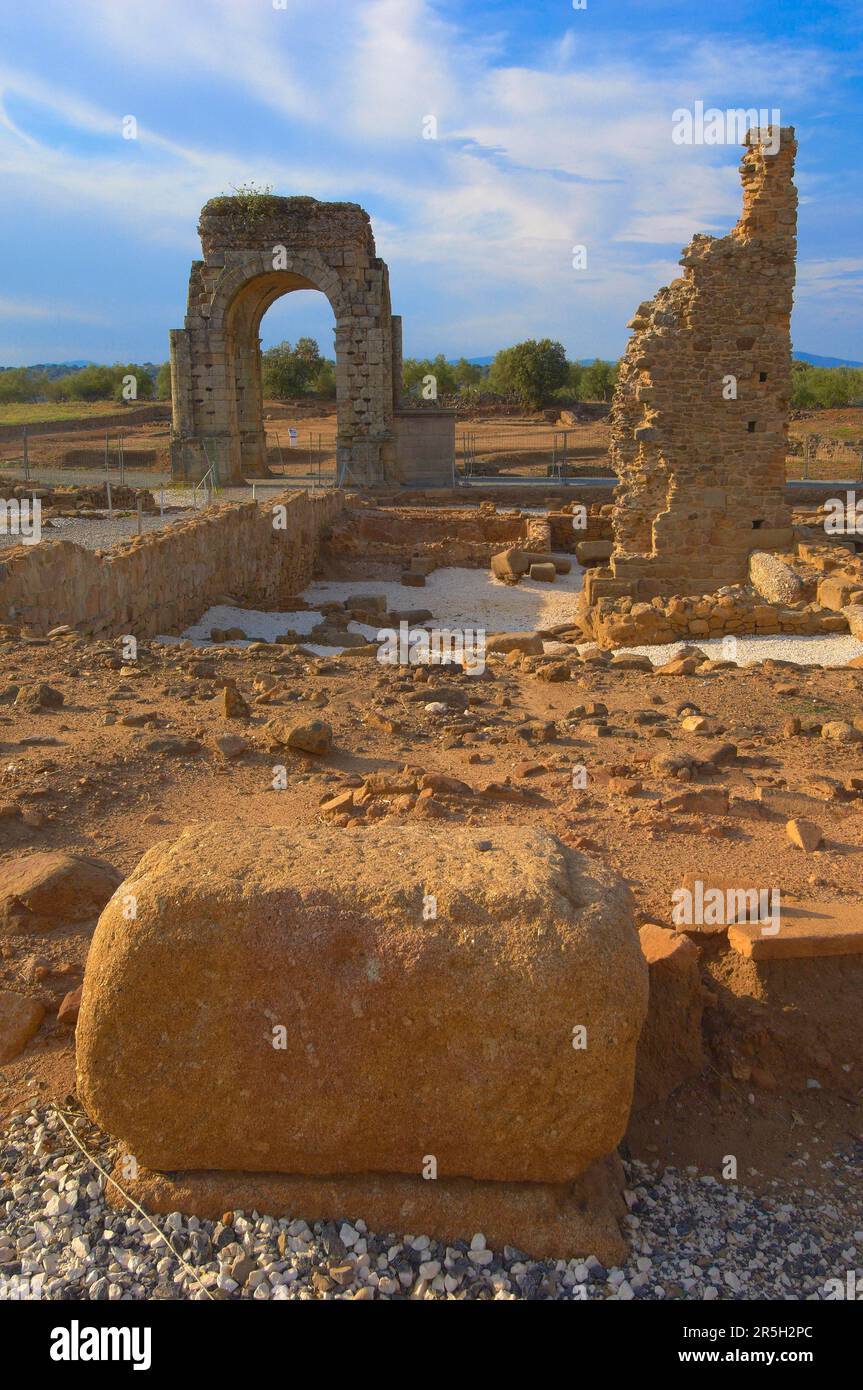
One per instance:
(422, 883)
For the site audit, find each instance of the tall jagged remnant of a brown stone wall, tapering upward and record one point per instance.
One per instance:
(700, 414)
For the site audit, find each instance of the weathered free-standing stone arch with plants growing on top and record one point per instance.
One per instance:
(258, 250)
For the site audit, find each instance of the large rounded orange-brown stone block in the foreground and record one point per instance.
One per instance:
(422, 999)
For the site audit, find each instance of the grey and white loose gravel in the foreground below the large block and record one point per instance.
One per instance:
(693, 1239)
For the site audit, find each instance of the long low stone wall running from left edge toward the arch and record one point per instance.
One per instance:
(162, 582)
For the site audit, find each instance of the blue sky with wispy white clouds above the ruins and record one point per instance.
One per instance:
(554, 130)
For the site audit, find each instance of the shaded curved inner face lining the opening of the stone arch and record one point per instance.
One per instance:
(244, 365)
